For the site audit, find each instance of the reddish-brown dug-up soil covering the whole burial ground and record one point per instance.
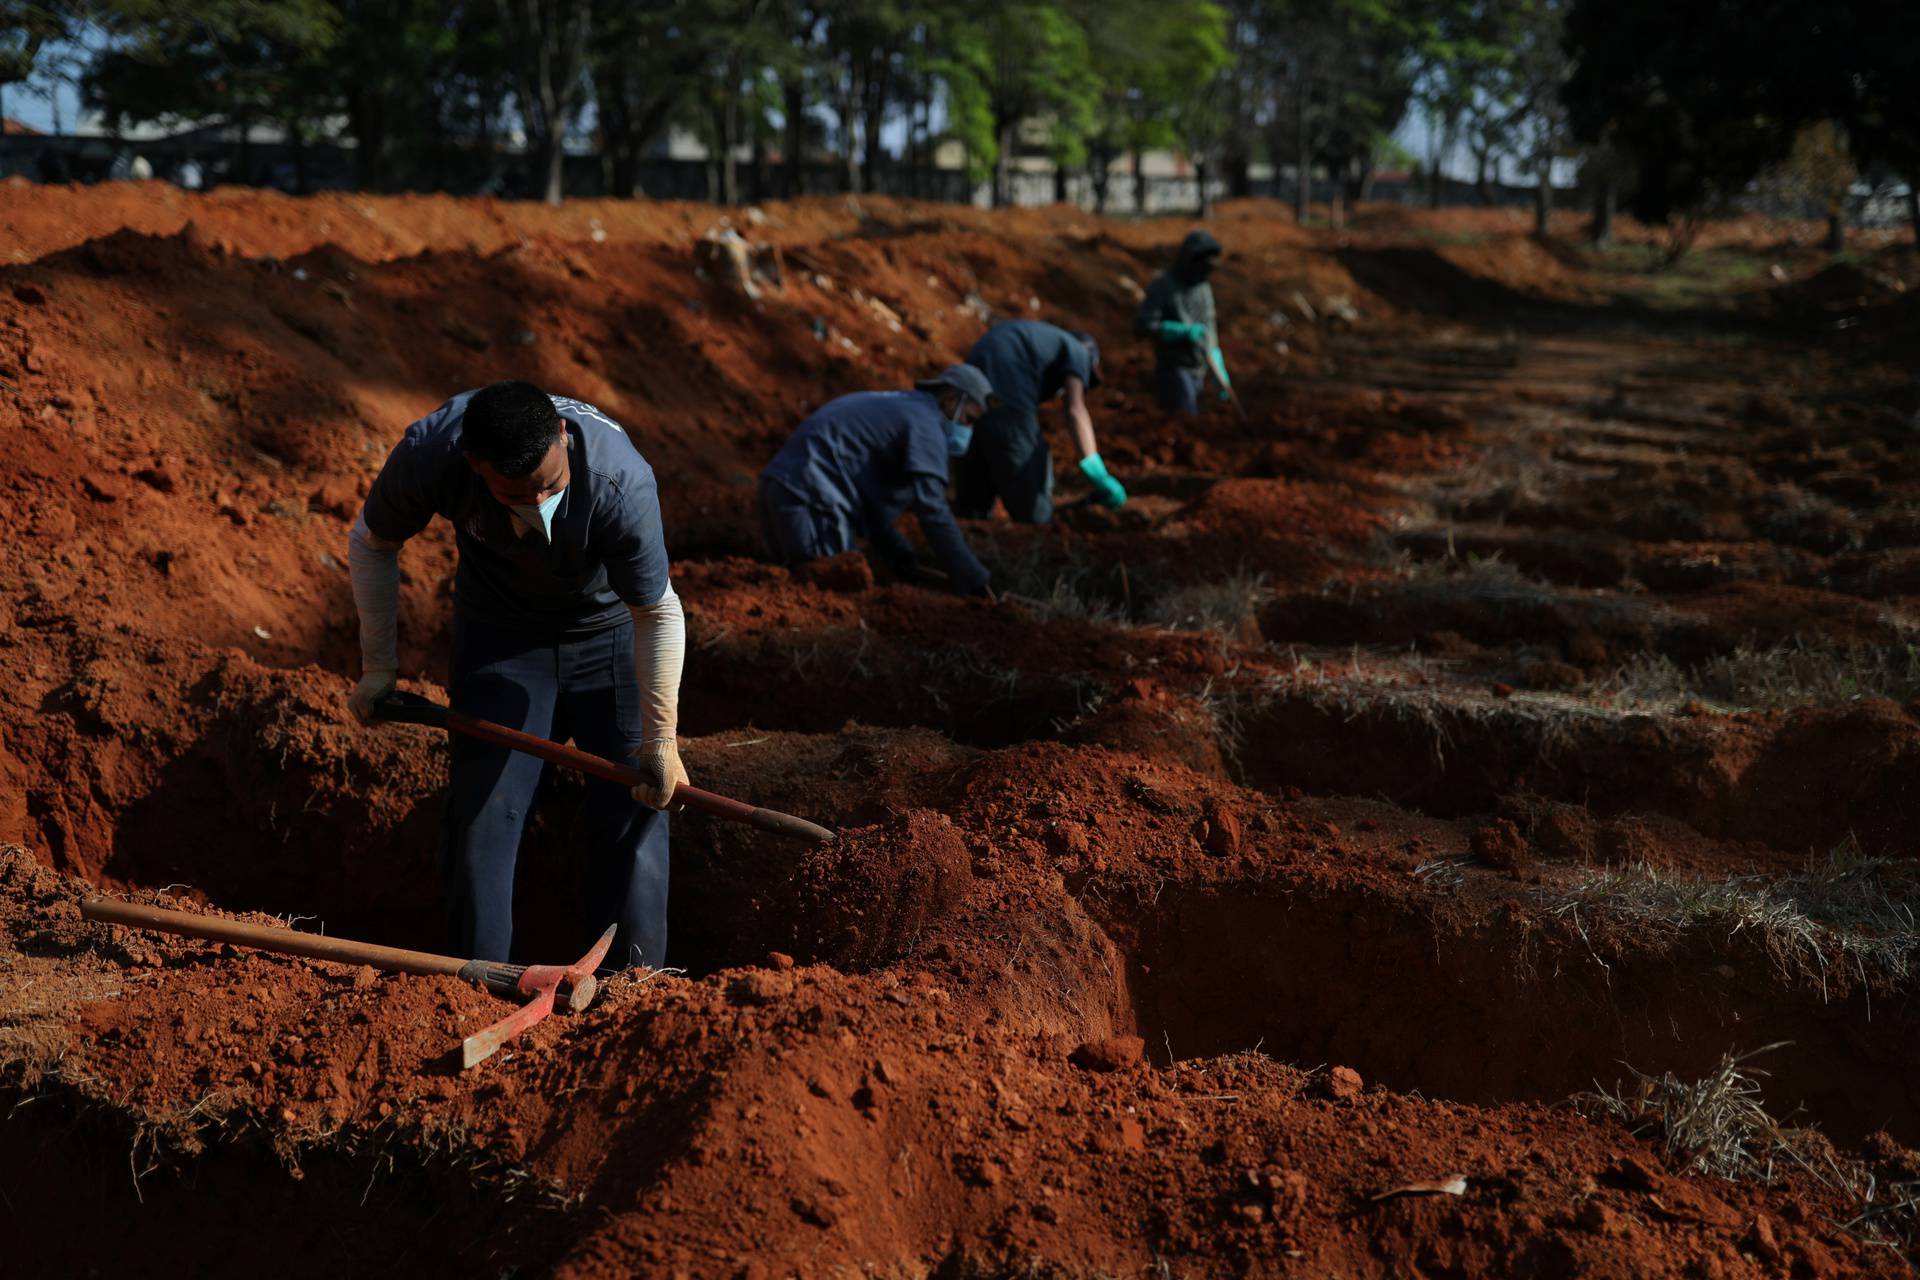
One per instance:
(1101, 859)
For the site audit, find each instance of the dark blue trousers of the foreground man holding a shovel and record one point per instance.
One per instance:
(579, 690)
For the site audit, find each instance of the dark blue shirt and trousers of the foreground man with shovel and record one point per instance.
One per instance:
(542, 644)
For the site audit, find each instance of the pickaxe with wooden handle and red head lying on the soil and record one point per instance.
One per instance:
(537, 985)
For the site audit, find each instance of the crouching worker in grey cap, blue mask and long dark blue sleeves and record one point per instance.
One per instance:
(861, 462)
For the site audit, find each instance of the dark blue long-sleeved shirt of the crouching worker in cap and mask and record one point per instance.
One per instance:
(871, 458)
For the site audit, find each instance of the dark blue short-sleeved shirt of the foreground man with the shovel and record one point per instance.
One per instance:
(608, 548)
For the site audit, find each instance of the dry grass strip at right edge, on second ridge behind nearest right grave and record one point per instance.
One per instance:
(1769, 678)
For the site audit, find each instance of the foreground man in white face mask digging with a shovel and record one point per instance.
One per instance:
(565, 627)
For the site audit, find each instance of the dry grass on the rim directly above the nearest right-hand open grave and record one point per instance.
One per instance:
(1848, 913)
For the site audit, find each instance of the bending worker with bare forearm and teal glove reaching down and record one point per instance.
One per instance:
(1030, 364)
